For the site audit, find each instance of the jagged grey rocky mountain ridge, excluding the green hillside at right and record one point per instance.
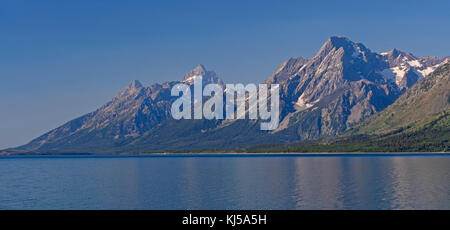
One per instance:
(342, 85)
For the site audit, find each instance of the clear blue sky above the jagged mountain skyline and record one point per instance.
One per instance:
(61, 59)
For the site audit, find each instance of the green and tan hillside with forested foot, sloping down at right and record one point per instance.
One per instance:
(418, 121)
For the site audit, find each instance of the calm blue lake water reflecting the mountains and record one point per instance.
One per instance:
(338, 182)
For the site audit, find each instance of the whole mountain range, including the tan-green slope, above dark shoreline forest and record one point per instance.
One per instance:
(344, 89)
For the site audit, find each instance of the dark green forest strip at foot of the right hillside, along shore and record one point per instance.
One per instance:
(430, 135)
